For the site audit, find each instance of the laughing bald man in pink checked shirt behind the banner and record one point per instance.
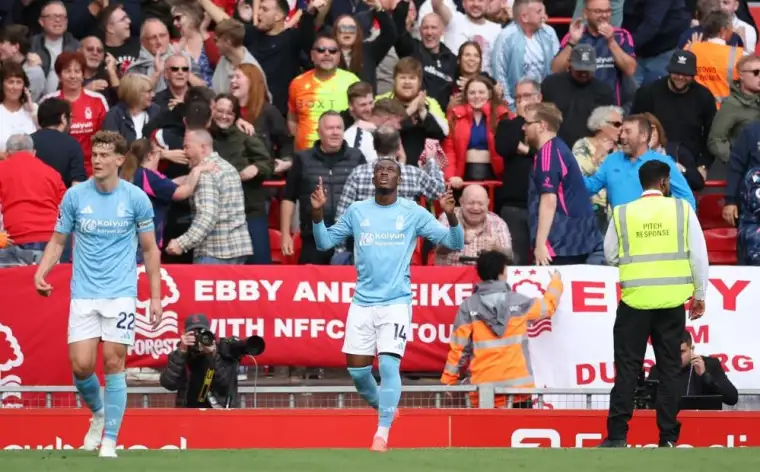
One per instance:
(483, 229)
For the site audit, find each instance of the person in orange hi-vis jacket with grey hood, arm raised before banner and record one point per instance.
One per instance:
(491, 331)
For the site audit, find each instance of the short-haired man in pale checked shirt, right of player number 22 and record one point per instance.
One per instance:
(219, 232)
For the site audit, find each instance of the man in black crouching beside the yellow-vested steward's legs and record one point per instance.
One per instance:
(701, 375)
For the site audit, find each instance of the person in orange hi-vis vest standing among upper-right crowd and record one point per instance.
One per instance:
(716, 61)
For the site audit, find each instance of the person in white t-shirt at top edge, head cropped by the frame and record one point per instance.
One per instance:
(469, 26)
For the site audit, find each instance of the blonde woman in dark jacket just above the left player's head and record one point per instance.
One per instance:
(135, 108)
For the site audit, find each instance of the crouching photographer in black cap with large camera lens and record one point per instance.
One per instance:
(203, 370)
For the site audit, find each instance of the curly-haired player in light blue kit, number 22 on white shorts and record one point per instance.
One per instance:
(106, 215)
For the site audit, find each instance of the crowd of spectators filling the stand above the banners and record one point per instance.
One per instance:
(234, 110)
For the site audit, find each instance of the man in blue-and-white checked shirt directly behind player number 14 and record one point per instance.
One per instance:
(413, 183)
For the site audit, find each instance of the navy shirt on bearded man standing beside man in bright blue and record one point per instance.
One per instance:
(574, 231)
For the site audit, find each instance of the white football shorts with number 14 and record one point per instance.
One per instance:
(372, 330)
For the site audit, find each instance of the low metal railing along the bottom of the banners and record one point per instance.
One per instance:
(413, 396)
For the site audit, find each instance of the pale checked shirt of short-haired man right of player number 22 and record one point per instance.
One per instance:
(219, 228)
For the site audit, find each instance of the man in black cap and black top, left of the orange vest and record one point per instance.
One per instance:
(685, 108)
